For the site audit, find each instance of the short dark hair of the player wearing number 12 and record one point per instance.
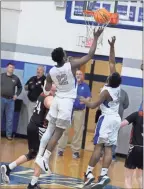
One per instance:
(58, 55)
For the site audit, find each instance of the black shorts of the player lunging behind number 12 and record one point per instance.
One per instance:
(34, 134)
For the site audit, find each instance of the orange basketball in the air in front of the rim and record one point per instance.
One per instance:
(102, 16)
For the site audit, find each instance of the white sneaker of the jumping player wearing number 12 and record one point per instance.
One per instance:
(43, 164)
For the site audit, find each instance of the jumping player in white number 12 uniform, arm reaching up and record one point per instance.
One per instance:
(60, 112)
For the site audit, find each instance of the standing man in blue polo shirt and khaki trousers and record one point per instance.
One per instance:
(78, 119)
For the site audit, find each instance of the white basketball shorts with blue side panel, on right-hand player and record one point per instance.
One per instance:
(106, 131)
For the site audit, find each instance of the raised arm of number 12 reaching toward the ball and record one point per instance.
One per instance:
(75, 63)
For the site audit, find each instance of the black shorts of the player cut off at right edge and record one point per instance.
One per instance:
(134, 158)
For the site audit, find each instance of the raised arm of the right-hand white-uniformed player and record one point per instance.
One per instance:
(112, 55)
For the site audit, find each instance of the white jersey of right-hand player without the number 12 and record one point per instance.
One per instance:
(111, 107)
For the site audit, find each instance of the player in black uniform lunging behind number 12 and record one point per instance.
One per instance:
(35, 130)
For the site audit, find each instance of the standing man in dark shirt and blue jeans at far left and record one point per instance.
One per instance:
(9, 82)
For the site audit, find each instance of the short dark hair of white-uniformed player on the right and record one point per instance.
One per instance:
(114, 80)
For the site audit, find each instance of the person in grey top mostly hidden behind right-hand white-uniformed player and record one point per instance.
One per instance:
(124, 103)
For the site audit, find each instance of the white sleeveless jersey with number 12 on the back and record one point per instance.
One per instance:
(64, 80)
